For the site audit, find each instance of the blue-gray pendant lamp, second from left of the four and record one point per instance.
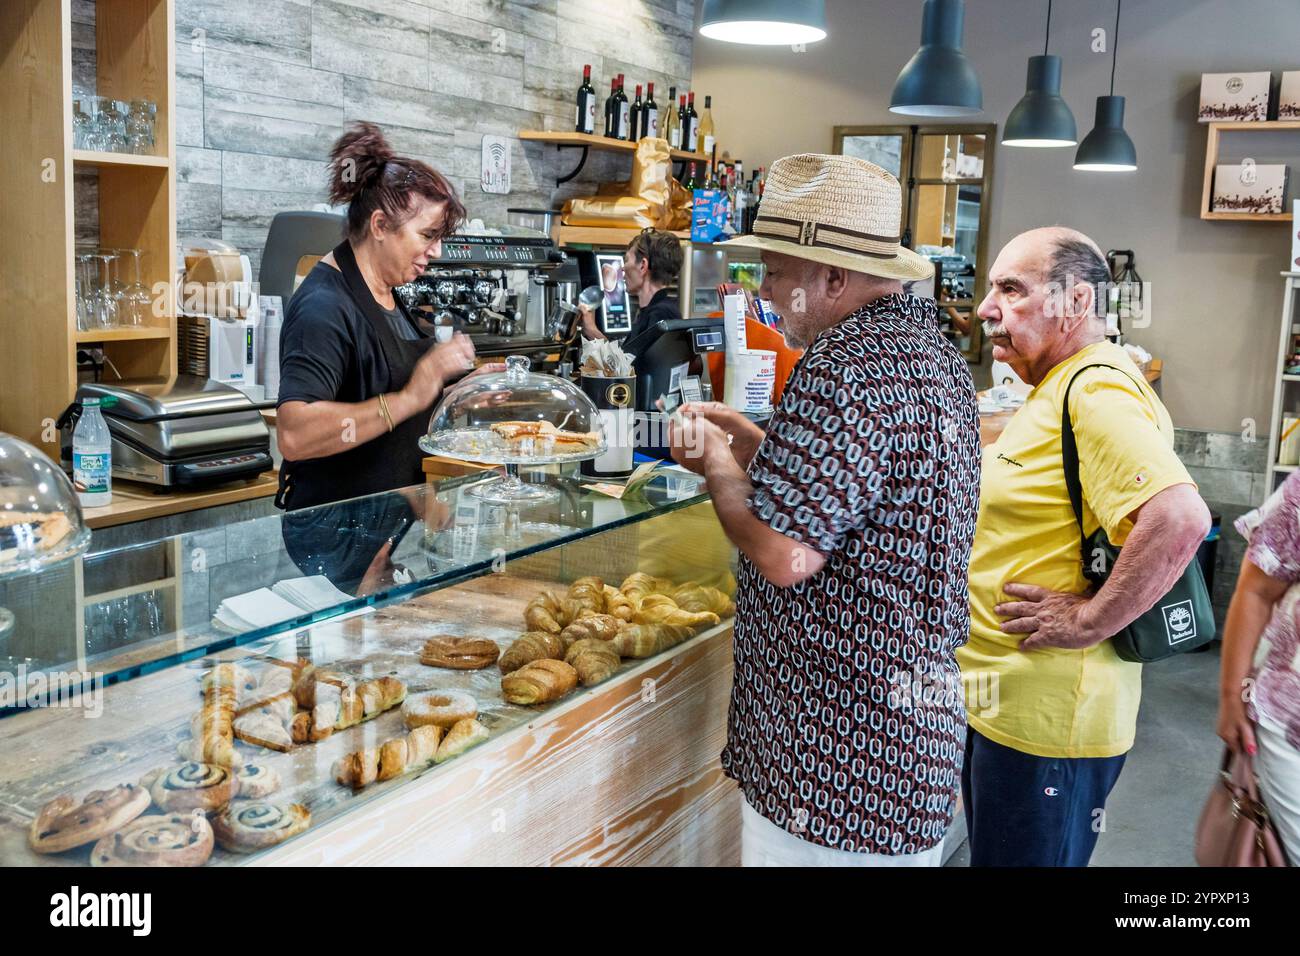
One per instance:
(939, 80)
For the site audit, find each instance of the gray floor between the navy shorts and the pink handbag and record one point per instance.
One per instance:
(1152, 812)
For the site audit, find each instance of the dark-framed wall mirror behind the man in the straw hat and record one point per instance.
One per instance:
(947, 174)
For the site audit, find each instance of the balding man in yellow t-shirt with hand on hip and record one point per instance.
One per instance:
(1052, 708)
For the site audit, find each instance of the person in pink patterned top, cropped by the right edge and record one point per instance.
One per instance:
(1260, 680)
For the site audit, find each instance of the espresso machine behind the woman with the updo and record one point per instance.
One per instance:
(506, 291)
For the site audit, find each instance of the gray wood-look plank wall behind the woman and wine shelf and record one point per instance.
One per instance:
(266, 86)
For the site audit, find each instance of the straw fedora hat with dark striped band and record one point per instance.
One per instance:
(835, 210)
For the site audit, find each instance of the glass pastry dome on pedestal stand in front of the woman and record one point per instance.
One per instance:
(515, 418)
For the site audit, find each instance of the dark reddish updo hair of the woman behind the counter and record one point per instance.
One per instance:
(367, 175)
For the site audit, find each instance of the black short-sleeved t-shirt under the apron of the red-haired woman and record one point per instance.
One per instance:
(330, 352)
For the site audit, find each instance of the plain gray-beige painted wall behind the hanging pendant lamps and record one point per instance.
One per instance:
(1217, 292)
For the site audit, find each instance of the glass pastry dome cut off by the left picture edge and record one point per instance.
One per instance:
(41, 520)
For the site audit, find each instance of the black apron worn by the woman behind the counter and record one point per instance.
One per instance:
(395, 460)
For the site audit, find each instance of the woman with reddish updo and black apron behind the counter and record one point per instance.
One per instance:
(359, 375)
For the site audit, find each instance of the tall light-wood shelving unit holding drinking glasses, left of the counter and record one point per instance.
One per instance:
(137, 201)
